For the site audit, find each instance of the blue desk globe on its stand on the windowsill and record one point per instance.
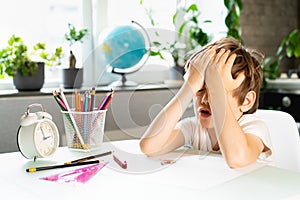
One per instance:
(125, 50)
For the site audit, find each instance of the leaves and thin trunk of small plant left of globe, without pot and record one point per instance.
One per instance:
(73, 36)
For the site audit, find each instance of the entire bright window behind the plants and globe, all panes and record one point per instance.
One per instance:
(47, 21)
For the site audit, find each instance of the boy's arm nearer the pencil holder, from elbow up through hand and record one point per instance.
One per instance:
(162, 136)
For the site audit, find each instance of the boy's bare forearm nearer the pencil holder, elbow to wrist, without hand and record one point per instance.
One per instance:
(162, 136)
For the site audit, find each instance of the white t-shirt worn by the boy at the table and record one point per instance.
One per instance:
(198, 137)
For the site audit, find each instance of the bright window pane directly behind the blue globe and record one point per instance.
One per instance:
(111, 13)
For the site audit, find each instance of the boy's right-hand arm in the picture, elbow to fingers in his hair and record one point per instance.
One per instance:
(238, 148)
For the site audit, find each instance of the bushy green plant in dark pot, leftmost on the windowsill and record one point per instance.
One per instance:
(26, 68)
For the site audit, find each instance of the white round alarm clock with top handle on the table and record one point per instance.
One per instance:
(37, 136)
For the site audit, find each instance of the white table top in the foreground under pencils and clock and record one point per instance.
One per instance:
(192, 176)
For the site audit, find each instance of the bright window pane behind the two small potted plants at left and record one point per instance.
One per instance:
(40, 21)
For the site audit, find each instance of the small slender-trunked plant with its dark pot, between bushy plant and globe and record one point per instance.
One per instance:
(72, 76)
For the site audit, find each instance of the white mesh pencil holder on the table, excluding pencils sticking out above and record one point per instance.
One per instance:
(84, 130)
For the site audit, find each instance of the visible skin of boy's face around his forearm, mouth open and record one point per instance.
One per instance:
(204, 111)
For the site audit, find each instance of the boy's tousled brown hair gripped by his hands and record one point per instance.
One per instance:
(247, 62)
